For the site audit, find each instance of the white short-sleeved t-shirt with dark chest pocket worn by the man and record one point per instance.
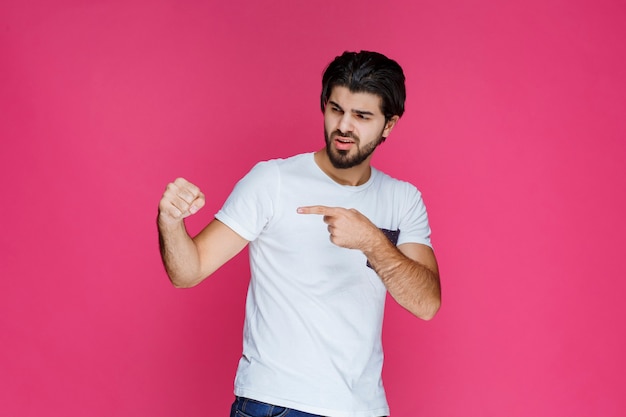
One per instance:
(314, 312)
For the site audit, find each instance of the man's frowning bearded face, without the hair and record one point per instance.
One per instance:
(353, 126)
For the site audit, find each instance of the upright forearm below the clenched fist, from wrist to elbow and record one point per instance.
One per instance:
(179, 254)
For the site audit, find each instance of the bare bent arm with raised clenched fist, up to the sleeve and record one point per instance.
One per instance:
(187, 260)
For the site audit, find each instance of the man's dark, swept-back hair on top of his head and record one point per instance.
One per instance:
(367, 72)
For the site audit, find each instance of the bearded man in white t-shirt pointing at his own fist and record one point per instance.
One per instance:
(329, 235)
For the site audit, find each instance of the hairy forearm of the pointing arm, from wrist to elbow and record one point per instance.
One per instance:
(412, 284)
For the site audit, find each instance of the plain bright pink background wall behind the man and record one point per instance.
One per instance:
(514, 132)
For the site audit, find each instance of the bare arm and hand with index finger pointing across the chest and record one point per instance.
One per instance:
(409, 271)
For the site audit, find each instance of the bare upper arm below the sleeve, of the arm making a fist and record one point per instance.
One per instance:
(217, 244)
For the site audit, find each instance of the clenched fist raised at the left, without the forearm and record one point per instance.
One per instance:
(180, 200)
